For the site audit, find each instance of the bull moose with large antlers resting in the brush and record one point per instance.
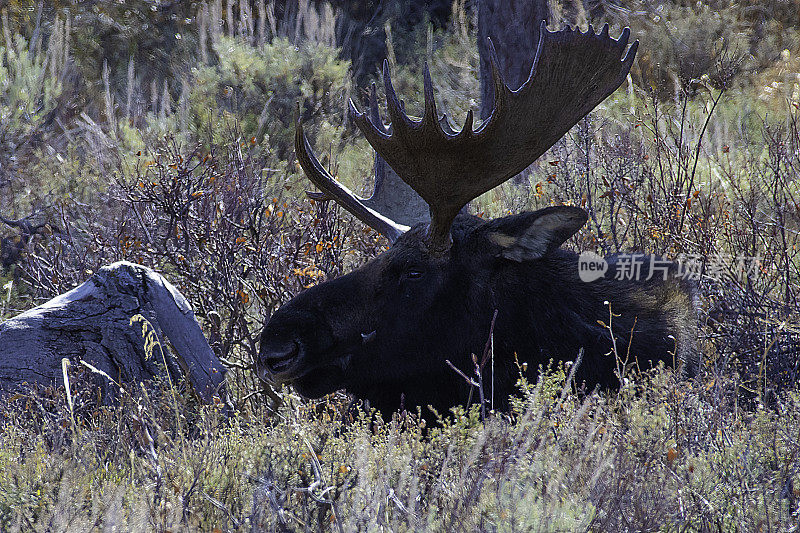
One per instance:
(386, 331)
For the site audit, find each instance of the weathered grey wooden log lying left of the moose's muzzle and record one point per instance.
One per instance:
(92, 323)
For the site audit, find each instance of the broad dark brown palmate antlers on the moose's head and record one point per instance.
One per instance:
(571, 74)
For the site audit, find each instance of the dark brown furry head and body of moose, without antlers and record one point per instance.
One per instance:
(425, 310)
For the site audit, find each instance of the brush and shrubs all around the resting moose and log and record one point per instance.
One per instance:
(161, 133)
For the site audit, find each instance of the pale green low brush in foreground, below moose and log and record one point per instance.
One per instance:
(659, 455)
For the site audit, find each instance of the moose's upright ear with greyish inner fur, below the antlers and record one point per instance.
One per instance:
(529, 236)
